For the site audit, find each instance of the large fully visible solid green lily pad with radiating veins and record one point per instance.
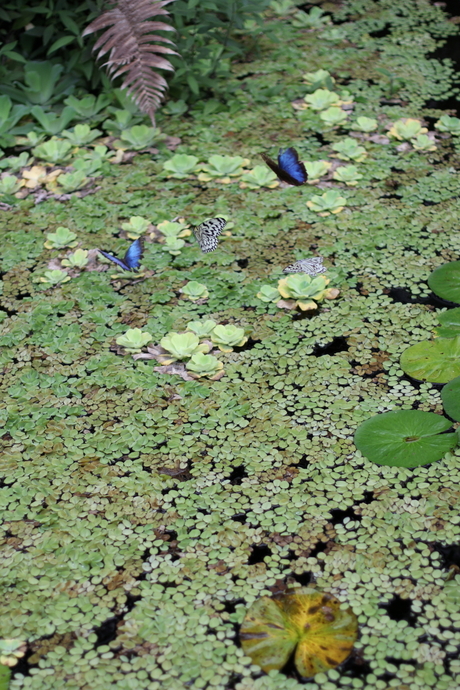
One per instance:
(405, 438)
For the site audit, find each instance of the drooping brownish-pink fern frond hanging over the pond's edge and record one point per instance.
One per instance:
(129, 42)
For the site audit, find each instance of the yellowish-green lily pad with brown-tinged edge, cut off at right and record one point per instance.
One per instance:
(437, 361)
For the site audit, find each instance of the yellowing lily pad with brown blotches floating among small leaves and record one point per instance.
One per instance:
(308, 621)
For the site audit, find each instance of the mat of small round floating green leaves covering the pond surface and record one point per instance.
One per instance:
(143, 513)
